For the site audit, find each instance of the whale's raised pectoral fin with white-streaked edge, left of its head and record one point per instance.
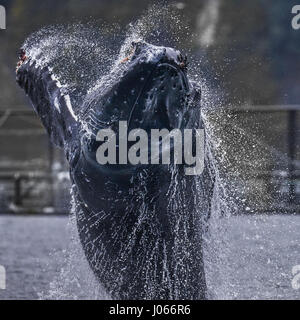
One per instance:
(50, 100)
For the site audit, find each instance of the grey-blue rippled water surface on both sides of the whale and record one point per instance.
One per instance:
(261, 252)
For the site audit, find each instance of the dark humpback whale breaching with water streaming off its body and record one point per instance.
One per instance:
(141, 227)
